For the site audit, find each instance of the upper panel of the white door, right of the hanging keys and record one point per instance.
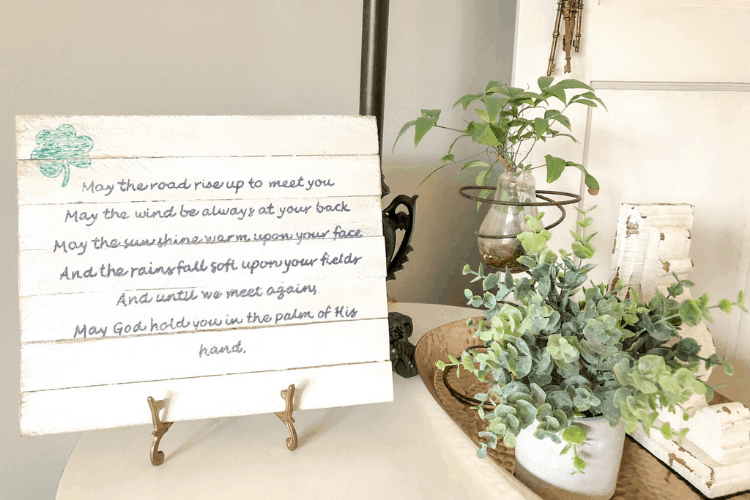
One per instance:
(671, 43)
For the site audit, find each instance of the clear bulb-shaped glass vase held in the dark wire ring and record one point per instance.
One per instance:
(507, 220)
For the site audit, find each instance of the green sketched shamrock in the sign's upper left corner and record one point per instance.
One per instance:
(65, 148)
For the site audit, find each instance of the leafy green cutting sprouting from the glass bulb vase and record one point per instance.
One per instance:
(510, 122)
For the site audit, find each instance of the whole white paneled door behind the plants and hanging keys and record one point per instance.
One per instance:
(676, 80)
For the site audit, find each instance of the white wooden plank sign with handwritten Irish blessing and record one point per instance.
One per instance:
(206, 261)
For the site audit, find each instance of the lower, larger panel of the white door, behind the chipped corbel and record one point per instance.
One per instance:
(691, 149)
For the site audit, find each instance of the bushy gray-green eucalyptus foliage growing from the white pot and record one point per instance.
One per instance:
(554, 357)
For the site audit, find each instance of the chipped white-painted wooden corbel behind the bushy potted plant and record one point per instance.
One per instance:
(651, 243)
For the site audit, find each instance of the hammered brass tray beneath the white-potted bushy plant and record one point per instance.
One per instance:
(641, 474)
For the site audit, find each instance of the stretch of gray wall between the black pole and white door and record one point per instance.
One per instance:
(427, 70)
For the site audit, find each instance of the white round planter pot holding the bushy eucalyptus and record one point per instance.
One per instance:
(540, 466)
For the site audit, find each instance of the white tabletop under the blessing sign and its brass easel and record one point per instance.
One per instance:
(405, 449)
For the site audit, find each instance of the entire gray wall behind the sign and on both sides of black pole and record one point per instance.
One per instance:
(245, 57)
